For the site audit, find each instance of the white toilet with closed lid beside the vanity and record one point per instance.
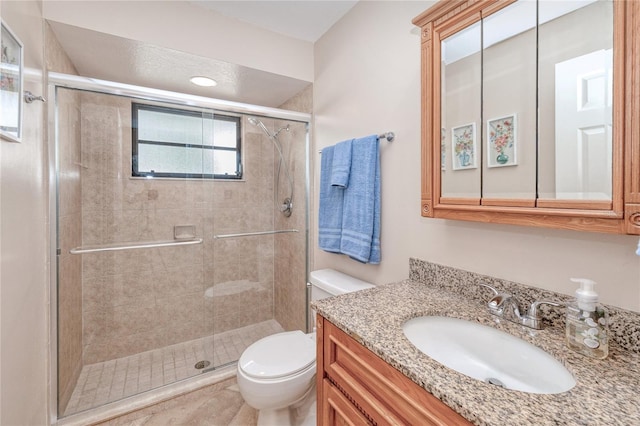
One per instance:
(276, 374)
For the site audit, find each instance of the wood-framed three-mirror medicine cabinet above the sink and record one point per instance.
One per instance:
(531, 112)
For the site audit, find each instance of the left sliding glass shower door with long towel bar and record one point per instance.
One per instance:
(132, 211)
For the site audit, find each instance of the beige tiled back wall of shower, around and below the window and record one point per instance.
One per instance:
(136, 300)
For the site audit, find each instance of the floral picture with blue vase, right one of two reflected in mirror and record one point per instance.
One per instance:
(501, 137)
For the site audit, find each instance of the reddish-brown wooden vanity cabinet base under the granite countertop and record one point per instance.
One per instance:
(356, 387)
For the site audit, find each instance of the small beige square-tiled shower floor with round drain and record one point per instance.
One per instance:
(112, 380)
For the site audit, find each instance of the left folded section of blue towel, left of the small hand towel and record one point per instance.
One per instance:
(330, 206)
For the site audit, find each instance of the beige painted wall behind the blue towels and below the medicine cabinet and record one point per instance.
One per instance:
(367, 79)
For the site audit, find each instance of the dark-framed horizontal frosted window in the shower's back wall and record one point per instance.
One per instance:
(177, 143)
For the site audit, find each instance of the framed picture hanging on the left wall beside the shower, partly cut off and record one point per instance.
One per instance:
(11, 80)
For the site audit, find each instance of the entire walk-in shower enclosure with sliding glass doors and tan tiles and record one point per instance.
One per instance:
(174, 248)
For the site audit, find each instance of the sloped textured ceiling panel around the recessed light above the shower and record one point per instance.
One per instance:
(107, 57)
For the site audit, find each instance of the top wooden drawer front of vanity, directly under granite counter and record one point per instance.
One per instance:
(380, 390)
